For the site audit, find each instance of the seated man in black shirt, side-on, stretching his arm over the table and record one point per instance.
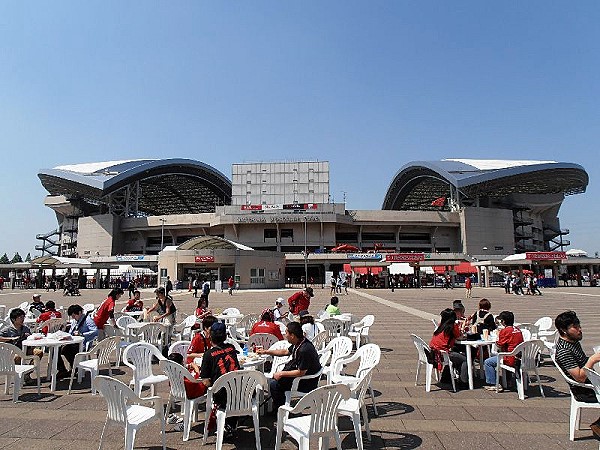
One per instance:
(305, 361)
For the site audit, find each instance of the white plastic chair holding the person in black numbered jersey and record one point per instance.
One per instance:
(243, 388)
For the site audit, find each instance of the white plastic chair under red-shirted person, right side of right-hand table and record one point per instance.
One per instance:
(529, 351)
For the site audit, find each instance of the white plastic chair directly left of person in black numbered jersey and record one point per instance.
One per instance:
(176, 374)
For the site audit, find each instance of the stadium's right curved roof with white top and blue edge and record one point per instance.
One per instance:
(467, 181)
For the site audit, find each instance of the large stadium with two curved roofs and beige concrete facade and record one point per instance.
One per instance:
(274, 221)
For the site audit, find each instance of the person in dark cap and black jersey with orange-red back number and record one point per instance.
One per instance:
(218, 360)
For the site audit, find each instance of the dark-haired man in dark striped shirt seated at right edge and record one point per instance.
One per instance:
(571, 358)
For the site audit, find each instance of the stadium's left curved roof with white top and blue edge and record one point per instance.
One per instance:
(143, 187)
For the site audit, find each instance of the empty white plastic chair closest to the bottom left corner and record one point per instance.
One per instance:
(125, 410)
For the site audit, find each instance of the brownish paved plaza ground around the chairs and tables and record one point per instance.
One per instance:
(408, 416)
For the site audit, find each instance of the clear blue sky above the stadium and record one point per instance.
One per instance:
(368, 86)
